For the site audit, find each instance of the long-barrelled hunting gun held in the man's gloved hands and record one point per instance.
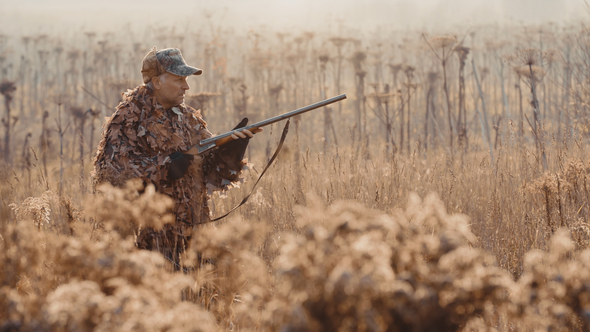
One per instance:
(210, 143)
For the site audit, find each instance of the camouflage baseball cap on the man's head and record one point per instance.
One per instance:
(168, 60)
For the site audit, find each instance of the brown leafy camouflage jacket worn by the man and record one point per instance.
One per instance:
(138, 140)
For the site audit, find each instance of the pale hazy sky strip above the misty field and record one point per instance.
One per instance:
(43, 15)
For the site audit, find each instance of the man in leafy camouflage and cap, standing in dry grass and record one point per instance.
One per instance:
(146, 138)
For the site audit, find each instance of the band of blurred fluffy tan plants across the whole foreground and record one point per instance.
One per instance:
(341, 266)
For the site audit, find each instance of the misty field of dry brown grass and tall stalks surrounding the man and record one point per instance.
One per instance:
(450, 191)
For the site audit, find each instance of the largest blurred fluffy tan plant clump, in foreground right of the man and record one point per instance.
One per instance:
(355, 269)
